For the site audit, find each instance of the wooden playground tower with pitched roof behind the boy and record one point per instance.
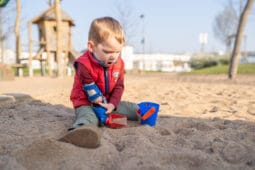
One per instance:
(47, 53)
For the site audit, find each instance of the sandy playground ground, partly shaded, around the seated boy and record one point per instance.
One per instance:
(205, 122)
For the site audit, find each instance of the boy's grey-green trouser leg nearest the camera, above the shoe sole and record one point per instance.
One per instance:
(84, 116)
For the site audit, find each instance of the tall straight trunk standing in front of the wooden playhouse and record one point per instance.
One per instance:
(60, 70)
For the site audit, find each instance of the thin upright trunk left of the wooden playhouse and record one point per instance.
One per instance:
(17, 34)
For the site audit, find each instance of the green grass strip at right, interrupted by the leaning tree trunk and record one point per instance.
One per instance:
(223, 69)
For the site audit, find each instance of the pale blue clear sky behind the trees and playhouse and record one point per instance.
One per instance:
(168, 26)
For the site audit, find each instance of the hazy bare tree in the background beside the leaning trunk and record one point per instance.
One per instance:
(225, 25)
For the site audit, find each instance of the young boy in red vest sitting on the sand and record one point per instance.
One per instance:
(99, 80)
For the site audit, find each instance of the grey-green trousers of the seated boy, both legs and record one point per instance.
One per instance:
(86, 116)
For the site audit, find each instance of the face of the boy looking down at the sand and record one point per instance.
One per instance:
(107, 52)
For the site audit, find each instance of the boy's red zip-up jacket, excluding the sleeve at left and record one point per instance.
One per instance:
(109, 80)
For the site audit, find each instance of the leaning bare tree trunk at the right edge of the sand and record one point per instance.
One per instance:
(234, 61)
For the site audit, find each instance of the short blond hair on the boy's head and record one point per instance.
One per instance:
(102, 28)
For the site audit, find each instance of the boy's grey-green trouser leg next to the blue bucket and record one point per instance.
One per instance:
(129, 109)
